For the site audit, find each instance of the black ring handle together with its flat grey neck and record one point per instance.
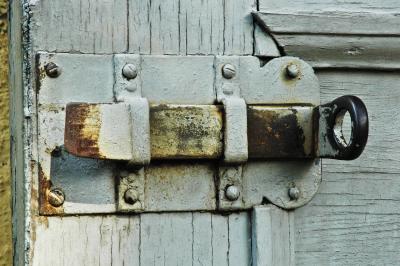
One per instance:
(332, 142)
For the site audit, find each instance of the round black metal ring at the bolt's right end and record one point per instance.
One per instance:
(359, 126)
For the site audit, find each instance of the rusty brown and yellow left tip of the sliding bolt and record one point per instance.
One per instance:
(82, 130)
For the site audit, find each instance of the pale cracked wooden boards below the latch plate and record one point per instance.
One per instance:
(150, 239)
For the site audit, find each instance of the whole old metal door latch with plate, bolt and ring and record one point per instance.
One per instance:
(243, 119)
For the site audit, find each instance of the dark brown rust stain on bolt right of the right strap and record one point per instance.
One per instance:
(272, 134)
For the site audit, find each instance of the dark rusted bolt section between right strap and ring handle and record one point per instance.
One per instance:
(280, 132)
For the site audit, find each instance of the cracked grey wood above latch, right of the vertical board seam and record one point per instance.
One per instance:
(191, 27)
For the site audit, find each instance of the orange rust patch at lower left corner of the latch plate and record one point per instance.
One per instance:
(44, 187)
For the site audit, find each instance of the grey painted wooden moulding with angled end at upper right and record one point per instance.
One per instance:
(366, 32)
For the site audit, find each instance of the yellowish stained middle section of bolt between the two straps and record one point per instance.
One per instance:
(186, 132)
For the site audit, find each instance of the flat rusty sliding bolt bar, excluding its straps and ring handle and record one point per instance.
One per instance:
(188, 131)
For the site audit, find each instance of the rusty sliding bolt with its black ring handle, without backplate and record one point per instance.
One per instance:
(196, 132)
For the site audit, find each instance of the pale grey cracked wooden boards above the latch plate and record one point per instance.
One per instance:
(143, 26)
